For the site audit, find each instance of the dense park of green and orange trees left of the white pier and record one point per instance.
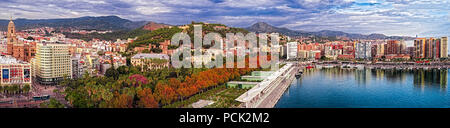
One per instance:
(144, 89)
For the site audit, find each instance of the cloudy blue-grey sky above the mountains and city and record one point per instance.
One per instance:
(425, 18)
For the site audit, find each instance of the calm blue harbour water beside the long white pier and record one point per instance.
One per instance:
(352, 88)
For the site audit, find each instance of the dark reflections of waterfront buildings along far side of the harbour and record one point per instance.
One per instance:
(421, 78)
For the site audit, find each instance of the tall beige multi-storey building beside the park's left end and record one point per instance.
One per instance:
(52, 63)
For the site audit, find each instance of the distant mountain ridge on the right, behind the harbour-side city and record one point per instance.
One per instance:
(262, 27)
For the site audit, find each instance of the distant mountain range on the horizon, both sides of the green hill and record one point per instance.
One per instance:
(116, 23)
